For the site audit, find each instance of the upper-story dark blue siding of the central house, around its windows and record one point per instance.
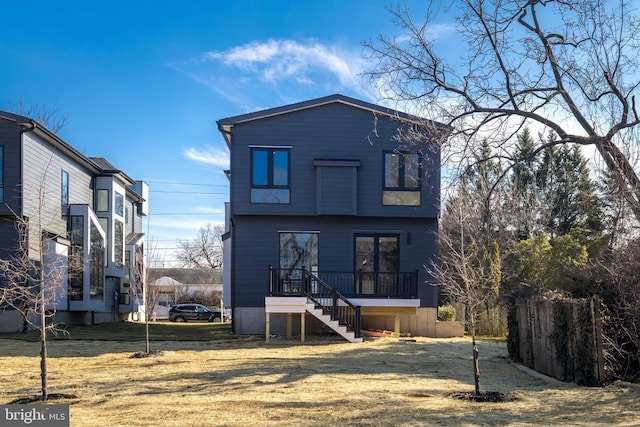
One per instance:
(333, 131)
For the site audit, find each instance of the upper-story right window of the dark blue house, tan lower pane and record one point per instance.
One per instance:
(402, 173)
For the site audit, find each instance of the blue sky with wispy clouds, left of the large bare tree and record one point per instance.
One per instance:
(143, 82)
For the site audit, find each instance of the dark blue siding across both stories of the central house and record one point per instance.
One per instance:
(336, 170)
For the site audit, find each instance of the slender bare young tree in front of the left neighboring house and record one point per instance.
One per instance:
(35, 277)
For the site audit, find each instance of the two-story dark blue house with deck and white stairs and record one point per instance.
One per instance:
(330, 220)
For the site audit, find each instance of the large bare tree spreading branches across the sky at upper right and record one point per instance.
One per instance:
(565, 66)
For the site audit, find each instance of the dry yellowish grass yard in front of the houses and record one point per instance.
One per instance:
(207, 377)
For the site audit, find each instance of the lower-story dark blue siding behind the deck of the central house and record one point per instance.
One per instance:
(256, 246)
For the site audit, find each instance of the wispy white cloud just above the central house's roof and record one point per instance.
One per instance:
(279, 71)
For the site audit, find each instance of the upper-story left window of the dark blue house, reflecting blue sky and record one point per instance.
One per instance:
(270, 175)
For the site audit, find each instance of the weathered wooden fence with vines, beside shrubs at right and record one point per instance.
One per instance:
(558, 337)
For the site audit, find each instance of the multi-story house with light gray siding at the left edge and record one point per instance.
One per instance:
(84, 208)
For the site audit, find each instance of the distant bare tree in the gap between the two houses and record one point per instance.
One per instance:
(205, 251)
